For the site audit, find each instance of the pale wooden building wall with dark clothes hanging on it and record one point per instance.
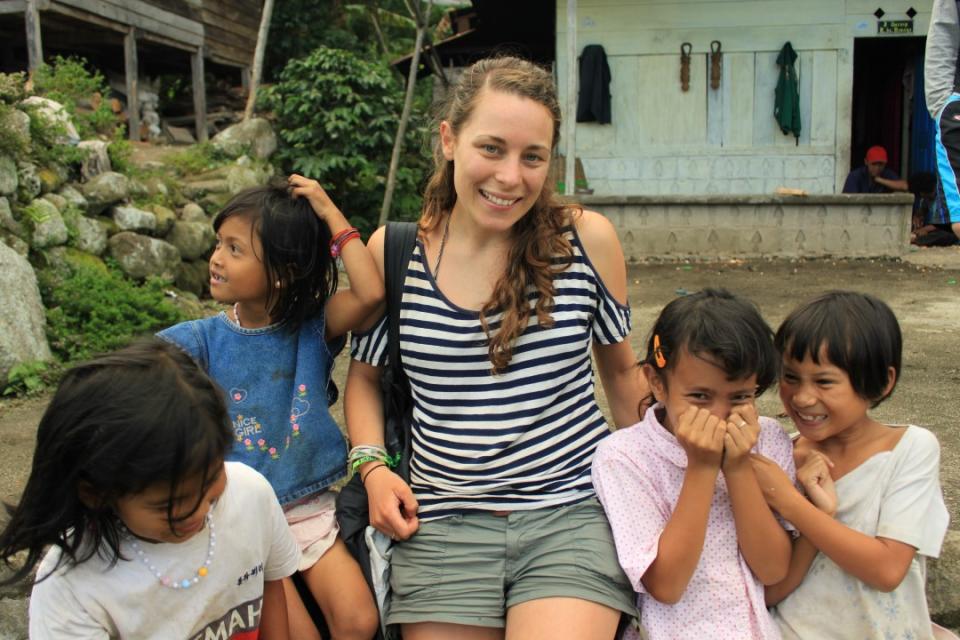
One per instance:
(663, 141)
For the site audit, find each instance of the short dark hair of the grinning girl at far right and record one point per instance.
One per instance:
(859, 332)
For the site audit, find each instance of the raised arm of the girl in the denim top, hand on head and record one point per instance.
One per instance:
(347, 308)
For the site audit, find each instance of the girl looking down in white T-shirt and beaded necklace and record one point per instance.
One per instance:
(151, 534)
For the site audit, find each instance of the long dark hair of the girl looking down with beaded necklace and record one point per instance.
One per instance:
(129, 420)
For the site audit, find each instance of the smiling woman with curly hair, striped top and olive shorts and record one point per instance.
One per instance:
(507, 294)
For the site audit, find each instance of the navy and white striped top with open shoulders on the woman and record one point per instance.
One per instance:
(520, 440)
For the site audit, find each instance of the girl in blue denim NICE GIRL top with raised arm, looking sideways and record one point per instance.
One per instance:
(272, 352)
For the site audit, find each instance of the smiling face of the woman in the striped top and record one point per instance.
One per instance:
(501, 158)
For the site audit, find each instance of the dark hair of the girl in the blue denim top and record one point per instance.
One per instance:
(295, 251)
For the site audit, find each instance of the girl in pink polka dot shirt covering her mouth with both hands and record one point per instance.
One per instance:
(693, 532)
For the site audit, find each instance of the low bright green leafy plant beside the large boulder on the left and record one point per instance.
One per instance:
(97, 310)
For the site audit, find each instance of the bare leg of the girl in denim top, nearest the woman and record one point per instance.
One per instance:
(338, 586)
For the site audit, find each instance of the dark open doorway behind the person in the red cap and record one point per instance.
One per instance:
(888, 102)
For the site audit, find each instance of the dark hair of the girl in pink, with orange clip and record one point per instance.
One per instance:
(725, 328)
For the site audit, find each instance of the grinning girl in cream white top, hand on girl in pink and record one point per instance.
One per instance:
(875, 509)
